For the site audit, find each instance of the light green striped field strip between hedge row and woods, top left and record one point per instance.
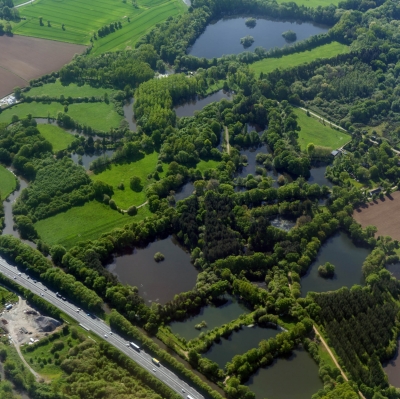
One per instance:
(131, 32)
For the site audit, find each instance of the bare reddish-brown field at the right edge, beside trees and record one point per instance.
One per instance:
(385, 215)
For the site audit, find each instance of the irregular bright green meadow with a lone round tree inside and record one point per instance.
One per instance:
(122, 173)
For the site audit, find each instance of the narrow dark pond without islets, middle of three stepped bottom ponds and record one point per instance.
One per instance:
(238, 343)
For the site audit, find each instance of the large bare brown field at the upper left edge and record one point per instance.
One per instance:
(24, 58)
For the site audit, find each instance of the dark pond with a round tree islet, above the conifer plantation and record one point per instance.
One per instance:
(347, 259)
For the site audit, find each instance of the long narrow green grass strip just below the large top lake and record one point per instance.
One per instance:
(288, 61)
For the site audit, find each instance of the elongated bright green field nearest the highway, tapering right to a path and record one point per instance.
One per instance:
(82, 223)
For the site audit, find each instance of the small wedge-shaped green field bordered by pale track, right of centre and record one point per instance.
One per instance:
(313, 131)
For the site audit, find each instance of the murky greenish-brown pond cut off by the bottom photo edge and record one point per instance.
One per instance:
(293, 377)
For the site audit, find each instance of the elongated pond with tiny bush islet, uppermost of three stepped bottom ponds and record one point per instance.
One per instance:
(214, 317)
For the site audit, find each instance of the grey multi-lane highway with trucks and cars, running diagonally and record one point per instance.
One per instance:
(98, 327)
